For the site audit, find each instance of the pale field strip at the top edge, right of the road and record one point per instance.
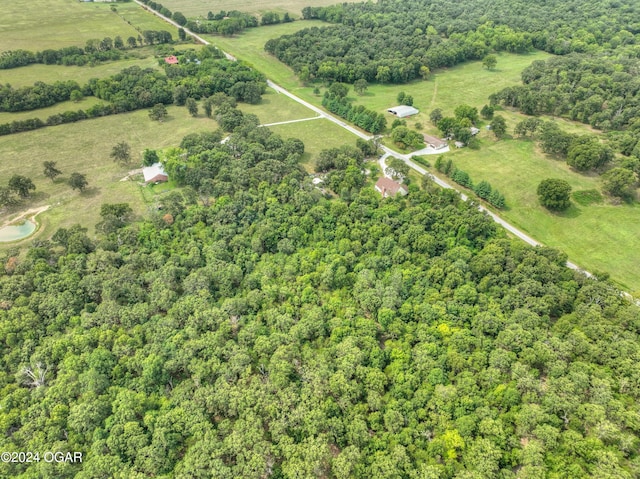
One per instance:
(194, 8)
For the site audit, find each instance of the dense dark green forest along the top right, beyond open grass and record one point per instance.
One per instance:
(388, 41)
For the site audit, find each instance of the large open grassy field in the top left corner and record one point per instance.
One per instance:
(60, 23)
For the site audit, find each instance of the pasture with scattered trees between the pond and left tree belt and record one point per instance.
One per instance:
(85, 147)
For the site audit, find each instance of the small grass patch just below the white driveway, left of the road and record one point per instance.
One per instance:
(317, 135)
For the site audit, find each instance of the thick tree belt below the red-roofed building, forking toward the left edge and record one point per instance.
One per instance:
(134, 88)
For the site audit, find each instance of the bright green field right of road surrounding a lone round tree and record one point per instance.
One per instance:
(597, 236)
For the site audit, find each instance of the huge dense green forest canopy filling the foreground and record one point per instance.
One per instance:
(275, 333)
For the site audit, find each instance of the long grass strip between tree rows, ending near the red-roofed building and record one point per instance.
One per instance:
(27, 76)
